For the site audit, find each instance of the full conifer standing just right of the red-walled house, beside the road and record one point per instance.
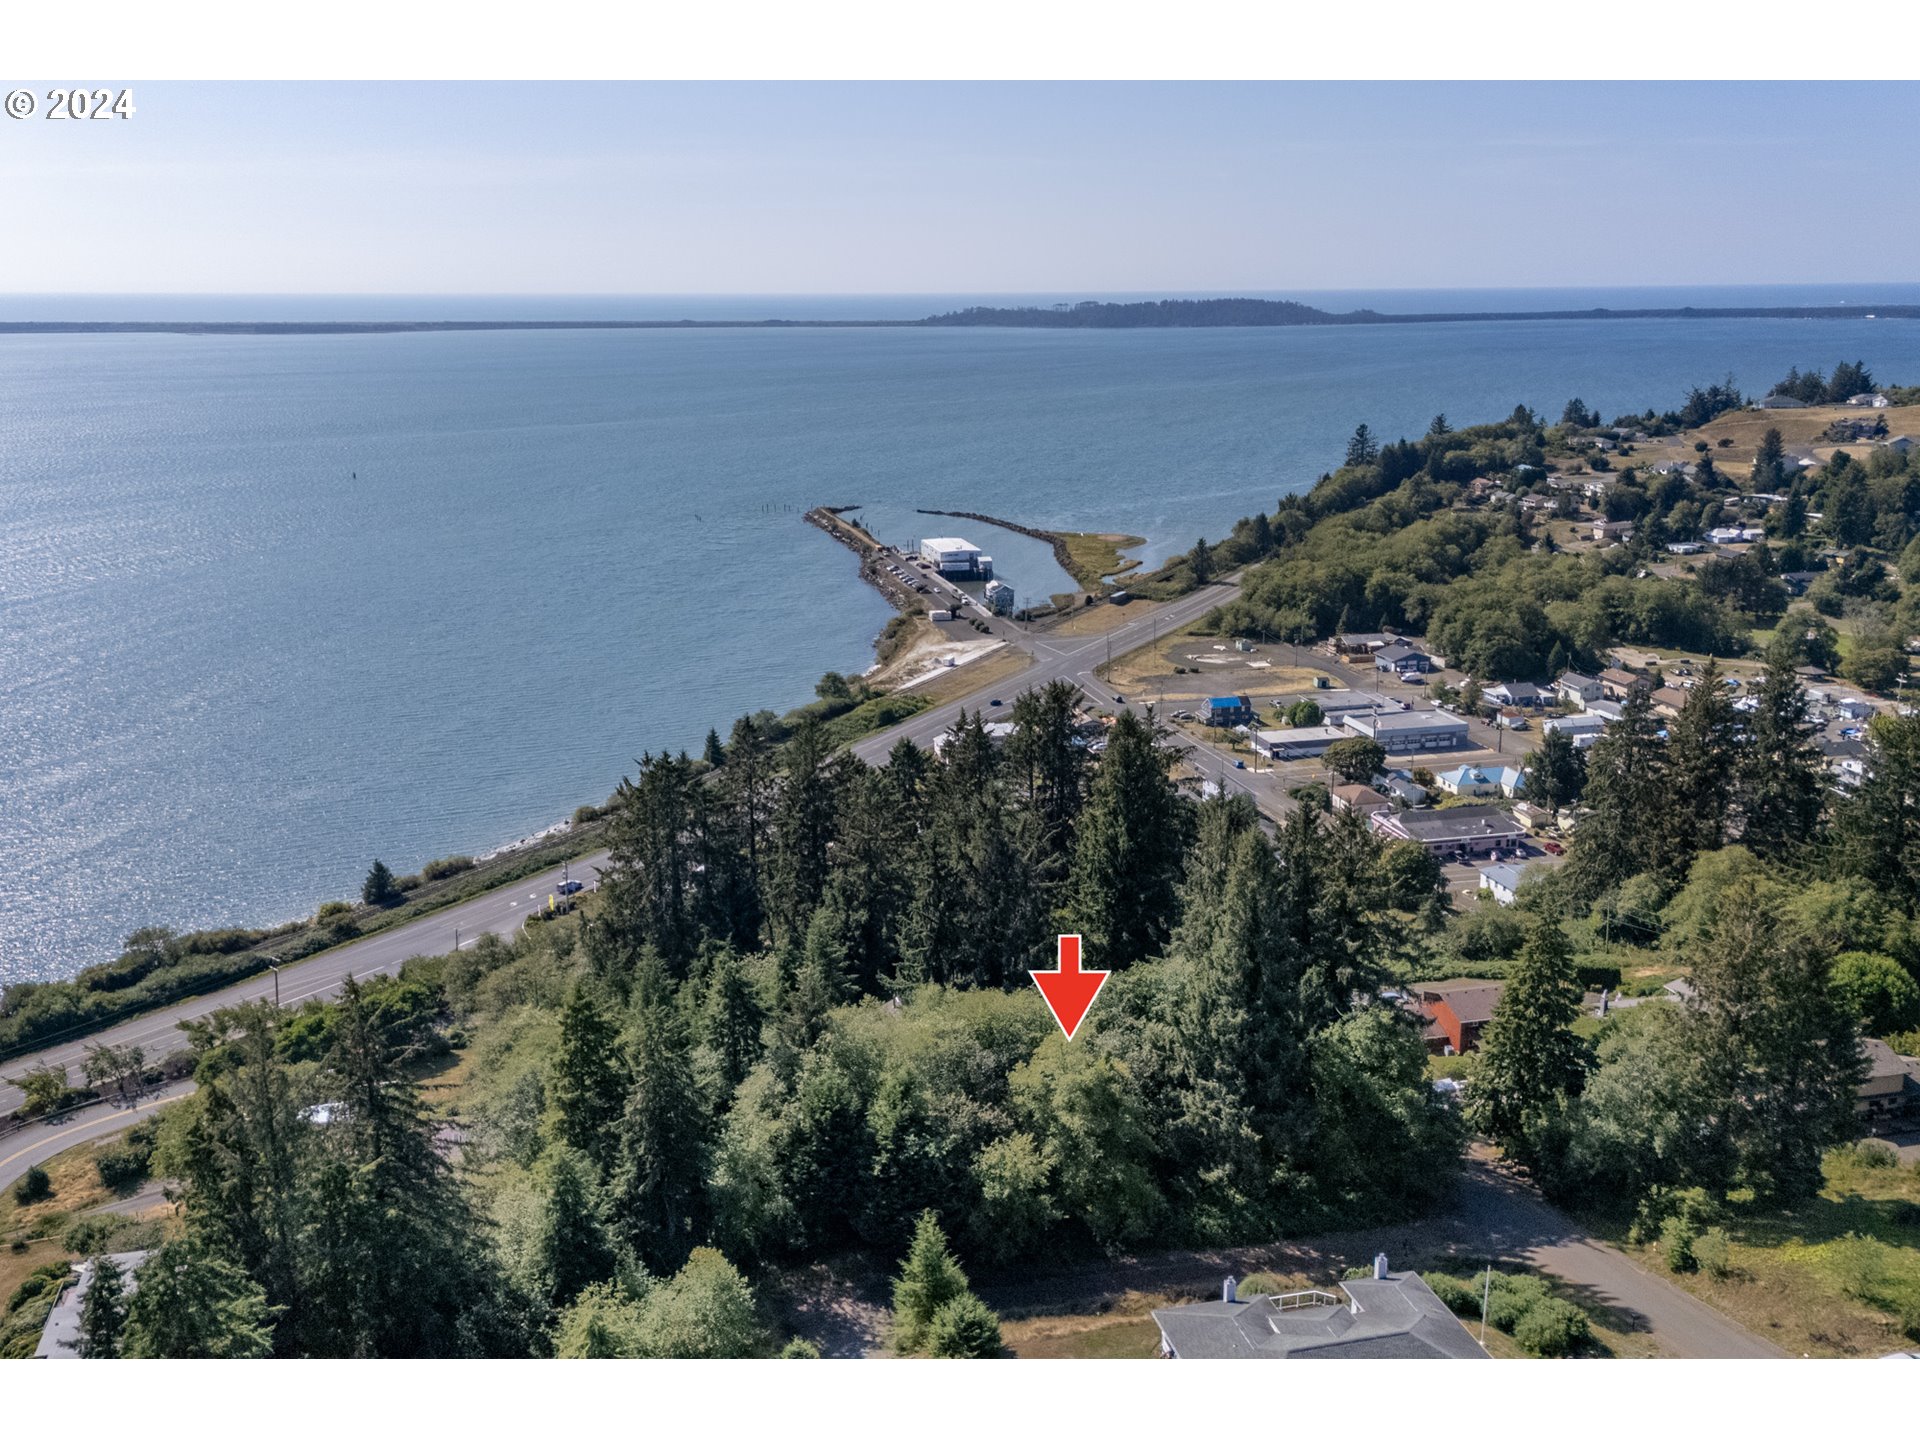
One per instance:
(1531, 1061)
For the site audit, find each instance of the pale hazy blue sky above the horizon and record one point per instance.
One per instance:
(658, 189)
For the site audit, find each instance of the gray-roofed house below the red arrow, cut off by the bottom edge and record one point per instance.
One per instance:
(1387, 1316)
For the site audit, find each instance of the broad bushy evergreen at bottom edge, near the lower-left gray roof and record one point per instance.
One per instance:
(193, 1305)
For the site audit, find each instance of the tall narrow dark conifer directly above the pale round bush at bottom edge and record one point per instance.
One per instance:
(658, 1189)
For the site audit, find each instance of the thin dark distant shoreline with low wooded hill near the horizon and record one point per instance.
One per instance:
(1086, 316)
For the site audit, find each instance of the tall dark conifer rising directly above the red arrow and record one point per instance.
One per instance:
(1128, 852)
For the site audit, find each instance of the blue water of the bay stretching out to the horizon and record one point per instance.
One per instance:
(231, 673)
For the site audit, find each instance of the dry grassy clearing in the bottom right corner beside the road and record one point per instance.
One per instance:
(1836, 1278)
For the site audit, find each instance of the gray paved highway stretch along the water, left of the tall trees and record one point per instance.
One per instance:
(496, 913)
